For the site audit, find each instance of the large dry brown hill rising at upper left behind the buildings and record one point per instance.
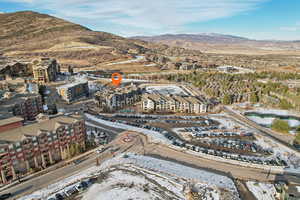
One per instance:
(30, 34)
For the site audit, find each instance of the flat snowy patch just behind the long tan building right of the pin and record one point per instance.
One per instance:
(166, 89)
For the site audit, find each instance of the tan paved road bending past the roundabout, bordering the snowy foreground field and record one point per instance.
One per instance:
(141, 145)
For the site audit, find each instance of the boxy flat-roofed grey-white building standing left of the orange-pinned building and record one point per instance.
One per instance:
(73, 91)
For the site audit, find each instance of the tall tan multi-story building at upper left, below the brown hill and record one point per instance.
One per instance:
(45, 70)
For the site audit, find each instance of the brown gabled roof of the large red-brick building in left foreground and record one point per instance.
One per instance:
(18, 134)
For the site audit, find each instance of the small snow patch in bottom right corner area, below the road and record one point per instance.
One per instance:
(262, 191)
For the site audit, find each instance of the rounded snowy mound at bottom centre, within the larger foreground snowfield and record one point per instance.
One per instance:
(130, 182)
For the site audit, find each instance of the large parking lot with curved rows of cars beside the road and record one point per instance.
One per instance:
(208, 137)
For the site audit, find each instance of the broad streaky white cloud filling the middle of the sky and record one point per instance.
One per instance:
(149, 16)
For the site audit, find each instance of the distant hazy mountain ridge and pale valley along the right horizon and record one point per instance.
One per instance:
(229, 44)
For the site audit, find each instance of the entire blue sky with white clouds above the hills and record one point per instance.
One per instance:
(256, 19)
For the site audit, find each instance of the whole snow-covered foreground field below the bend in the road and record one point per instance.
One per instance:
(142, 177)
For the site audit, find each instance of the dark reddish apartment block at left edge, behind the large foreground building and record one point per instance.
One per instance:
(25, 105)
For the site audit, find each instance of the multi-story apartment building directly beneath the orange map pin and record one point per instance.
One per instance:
(118, 98)
